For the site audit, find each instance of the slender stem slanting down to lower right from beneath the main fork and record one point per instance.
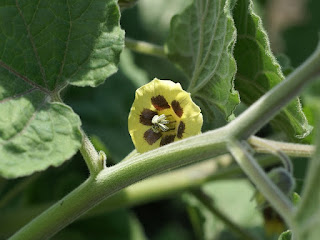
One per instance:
(263, 183)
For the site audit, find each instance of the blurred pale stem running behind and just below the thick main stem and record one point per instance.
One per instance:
(158, 187)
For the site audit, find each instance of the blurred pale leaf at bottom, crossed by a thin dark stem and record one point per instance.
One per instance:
(233, 198)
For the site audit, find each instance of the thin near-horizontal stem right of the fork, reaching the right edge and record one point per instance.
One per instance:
(291, 149)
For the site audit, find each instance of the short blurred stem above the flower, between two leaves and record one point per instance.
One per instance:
(145, 47)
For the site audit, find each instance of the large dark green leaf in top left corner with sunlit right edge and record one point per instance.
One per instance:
(53, 43)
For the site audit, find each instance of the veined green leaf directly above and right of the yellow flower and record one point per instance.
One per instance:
(201, 42)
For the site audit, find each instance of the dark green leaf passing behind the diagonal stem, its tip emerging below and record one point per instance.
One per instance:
(258, 70)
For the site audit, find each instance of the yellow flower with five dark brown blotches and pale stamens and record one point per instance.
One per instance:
(162, 113)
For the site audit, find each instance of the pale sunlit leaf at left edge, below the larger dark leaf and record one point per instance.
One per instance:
(36, 134)
